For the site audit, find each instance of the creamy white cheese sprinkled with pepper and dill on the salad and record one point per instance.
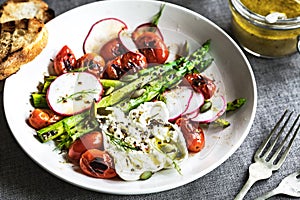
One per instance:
(143, 140)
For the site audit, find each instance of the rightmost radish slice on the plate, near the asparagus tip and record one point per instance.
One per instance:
(217, 109)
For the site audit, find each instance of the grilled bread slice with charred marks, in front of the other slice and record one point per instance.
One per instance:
(20, 42)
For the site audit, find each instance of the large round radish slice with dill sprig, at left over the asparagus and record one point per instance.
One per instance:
(73, 92)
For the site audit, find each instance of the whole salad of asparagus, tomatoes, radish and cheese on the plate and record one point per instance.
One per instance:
(130, 106)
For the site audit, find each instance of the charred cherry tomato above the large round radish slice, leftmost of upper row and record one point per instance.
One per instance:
(64, 61)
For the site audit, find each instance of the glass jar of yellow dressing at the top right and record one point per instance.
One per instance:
(272, 35)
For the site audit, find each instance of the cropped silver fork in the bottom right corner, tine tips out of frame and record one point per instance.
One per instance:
(290, 185)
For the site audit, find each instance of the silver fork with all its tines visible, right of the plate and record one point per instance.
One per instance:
(263, 168)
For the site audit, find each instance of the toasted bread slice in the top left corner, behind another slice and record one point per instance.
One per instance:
(19, 9)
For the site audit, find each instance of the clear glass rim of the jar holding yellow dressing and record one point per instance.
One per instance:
(260, 20)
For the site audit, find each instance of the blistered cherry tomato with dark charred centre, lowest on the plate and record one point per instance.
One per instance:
(97, 163)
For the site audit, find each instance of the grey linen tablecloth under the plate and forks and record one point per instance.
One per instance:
(278, 84)
